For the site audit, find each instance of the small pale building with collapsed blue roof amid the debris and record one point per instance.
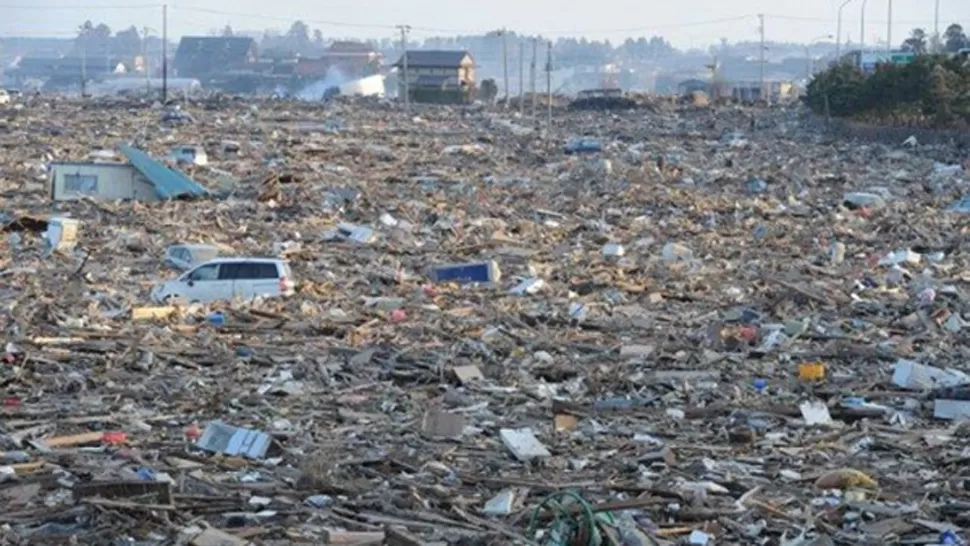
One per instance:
(142, 179)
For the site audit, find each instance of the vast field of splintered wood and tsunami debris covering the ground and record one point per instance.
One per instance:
(674, 326)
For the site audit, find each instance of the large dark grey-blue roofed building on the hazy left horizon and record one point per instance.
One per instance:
(203, 56)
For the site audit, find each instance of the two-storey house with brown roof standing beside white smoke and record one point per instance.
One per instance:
(439, 76)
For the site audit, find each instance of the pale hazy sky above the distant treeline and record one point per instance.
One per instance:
(694, 22)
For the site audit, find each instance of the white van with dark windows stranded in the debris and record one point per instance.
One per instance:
(228, 278)
